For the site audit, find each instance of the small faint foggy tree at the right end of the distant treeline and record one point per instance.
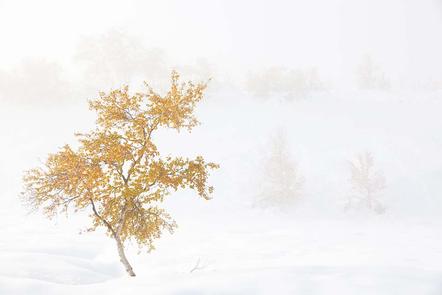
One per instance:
(370, 76)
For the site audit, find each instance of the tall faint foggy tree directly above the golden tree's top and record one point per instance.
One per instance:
(118, 56)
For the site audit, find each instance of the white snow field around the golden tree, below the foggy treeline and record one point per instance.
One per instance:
(225, 245)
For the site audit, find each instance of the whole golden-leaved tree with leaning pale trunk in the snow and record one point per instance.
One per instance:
(117, 170)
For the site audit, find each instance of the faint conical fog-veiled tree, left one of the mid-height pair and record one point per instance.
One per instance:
(281, 183)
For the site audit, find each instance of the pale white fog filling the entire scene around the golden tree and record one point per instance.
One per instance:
(301, 95)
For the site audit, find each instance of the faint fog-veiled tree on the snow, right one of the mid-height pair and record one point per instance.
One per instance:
(366, 183)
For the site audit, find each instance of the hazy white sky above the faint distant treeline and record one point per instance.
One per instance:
(404, 36)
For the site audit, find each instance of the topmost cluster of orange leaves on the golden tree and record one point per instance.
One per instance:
(121, 110)
